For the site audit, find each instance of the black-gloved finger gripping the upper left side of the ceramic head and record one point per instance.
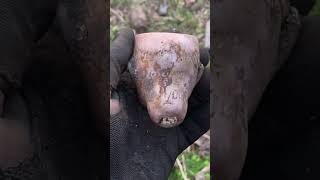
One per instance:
(120, 53)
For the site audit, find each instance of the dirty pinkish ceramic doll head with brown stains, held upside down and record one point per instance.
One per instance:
(166, 67)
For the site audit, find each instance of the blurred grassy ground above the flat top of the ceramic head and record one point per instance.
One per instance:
(184, 16)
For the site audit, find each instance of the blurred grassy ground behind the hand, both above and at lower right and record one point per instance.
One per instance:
(182, 16)
